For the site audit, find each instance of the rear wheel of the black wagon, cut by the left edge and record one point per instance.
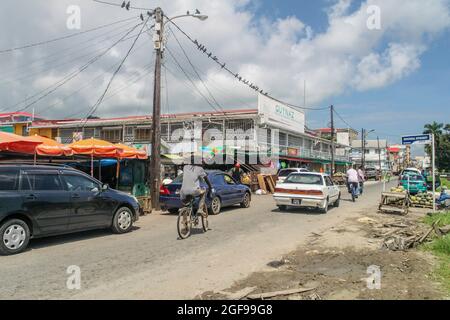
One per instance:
(14, 237)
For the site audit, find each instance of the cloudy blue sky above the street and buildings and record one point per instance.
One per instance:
(393, 78)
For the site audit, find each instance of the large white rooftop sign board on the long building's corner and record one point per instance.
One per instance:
(280, 115)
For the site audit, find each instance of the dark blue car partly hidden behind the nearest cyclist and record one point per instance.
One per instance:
(227, 193)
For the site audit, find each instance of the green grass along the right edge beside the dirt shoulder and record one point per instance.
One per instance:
(440, 247)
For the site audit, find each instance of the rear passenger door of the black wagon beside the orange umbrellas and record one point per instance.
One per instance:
(45, 200)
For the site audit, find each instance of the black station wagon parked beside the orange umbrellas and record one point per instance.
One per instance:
(40, 201)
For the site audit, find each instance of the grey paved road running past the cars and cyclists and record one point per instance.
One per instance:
(150, 263)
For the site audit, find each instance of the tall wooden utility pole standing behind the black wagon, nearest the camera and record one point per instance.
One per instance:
(155, 162)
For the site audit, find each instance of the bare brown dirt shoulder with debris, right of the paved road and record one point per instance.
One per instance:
(335, 262)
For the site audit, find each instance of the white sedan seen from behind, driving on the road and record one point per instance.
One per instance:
(307, 189)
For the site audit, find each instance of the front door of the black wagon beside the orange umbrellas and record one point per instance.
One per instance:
(91, 207)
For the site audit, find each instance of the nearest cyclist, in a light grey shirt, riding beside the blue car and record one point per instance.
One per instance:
(193, 173)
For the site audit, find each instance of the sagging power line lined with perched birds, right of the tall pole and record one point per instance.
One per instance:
(246, 82)
